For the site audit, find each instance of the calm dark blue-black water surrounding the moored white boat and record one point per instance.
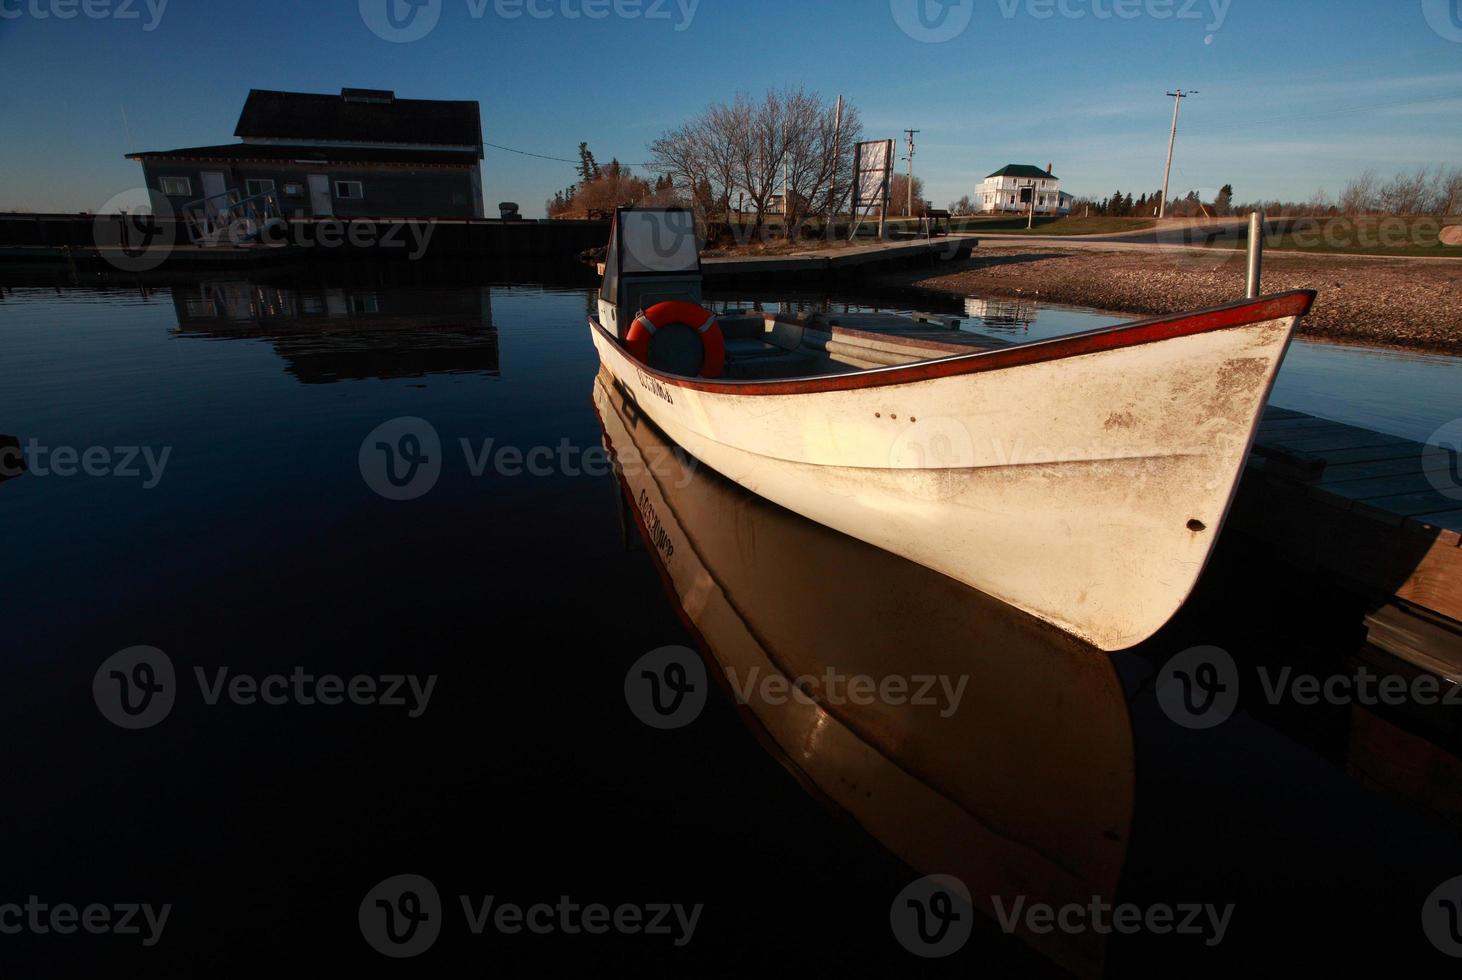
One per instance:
(262, 545)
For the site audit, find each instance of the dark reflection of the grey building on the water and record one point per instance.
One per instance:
(330, 334)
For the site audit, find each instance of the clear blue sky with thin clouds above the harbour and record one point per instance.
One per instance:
(1295, 96)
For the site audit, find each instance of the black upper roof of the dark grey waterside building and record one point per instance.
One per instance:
(360, 116)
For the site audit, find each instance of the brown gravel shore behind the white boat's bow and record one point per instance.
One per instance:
(1413, 305)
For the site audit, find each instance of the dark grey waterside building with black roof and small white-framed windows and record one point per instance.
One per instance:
(360, 154)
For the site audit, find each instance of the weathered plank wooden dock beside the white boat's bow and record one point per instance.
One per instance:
(1379, 513)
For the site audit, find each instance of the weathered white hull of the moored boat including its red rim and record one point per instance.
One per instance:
(1084, 482)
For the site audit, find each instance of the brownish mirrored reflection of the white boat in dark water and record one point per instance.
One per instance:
(1023, 791)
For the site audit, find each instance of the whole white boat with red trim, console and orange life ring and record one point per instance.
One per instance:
(1083, 479)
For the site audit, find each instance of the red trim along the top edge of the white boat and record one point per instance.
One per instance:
(1110, 339)
